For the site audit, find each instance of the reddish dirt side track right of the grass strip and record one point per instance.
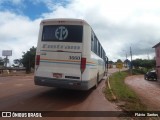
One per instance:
(148, 91)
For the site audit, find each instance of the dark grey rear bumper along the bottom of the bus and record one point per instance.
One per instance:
(64, 83)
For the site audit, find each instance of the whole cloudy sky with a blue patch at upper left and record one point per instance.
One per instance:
(118, 24)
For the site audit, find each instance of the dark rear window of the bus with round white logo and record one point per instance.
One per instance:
(62, 33)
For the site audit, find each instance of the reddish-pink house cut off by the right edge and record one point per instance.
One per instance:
(157, 51)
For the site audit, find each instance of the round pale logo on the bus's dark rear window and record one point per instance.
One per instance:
(61, 33)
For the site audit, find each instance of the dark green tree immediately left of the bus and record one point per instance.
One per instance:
(28, 59)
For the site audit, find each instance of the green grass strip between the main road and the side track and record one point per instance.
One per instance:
(124, 94)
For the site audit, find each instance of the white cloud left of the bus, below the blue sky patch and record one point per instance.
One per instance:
(17, 33)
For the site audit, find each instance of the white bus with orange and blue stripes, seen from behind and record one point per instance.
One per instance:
(68, 55)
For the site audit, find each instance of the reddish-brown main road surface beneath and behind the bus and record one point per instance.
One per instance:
(18, 93)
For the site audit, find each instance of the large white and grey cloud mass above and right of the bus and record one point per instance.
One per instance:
(118, 24)
